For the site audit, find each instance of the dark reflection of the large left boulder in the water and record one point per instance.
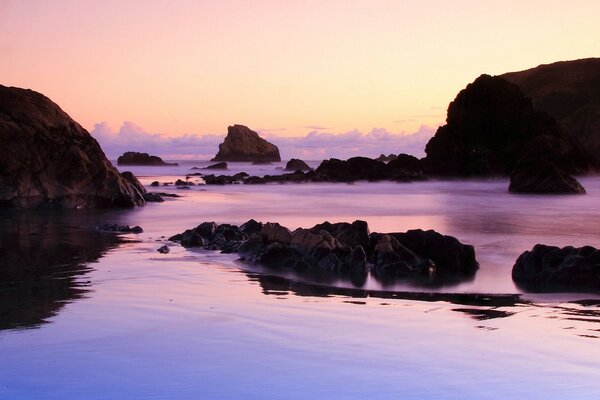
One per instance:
(42, 259)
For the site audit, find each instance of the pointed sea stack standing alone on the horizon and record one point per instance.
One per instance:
(243, 144)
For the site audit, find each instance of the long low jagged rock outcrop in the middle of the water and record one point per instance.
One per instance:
(340, 248)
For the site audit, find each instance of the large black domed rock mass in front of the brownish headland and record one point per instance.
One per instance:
(490, 126)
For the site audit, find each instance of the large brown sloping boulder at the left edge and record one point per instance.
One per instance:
(48, 160)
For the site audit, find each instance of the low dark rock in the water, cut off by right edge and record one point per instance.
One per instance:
(550, 267)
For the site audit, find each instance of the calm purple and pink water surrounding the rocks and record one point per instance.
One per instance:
(89, 315)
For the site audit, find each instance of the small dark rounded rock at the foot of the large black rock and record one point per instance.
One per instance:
(541, 177)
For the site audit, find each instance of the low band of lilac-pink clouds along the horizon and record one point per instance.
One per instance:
(315, 145)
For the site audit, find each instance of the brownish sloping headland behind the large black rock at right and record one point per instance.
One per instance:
(570, 92)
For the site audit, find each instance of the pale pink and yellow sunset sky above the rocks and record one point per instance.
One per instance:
(294, 71)
